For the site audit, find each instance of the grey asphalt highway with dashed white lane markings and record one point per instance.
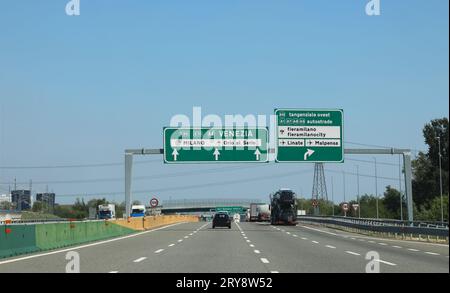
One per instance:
(246, 248)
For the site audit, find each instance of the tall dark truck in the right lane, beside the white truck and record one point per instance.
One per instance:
(283, 205)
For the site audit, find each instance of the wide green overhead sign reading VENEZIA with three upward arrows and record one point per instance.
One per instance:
(215, 145)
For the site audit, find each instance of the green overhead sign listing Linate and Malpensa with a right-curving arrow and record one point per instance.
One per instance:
(310, 135)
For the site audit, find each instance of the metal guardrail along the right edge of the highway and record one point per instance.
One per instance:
(383, 226)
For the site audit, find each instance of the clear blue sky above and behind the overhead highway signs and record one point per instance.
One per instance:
(79, 90)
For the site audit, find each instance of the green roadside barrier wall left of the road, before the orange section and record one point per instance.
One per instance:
(36, 237)
